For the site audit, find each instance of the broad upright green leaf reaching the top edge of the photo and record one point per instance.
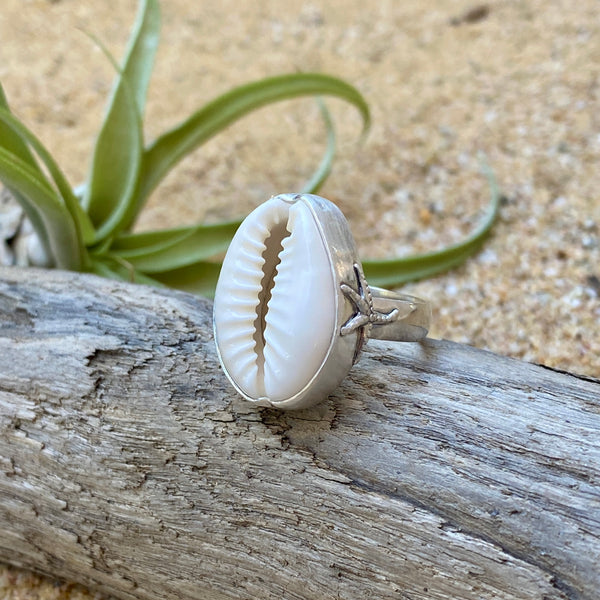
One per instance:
(118, 152)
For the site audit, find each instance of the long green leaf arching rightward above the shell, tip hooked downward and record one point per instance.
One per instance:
(171, 147)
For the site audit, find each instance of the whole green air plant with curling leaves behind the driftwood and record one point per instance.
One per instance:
(89, 227)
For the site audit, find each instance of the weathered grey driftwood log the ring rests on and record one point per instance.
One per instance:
(436, 470)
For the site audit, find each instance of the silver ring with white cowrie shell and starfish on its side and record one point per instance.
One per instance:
(292, 308)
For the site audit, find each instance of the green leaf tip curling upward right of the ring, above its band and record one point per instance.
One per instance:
(394, 272)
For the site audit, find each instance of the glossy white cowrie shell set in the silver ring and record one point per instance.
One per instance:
(274, 349)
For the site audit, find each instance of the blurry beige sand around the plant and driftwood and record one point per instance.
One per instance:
(517, 79)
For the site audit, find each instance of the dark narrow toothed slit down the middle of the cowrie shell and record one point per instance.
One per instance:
(272, 258)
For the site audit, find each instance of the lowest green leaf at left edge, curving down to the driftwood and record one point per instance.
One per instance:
(42, 201)
